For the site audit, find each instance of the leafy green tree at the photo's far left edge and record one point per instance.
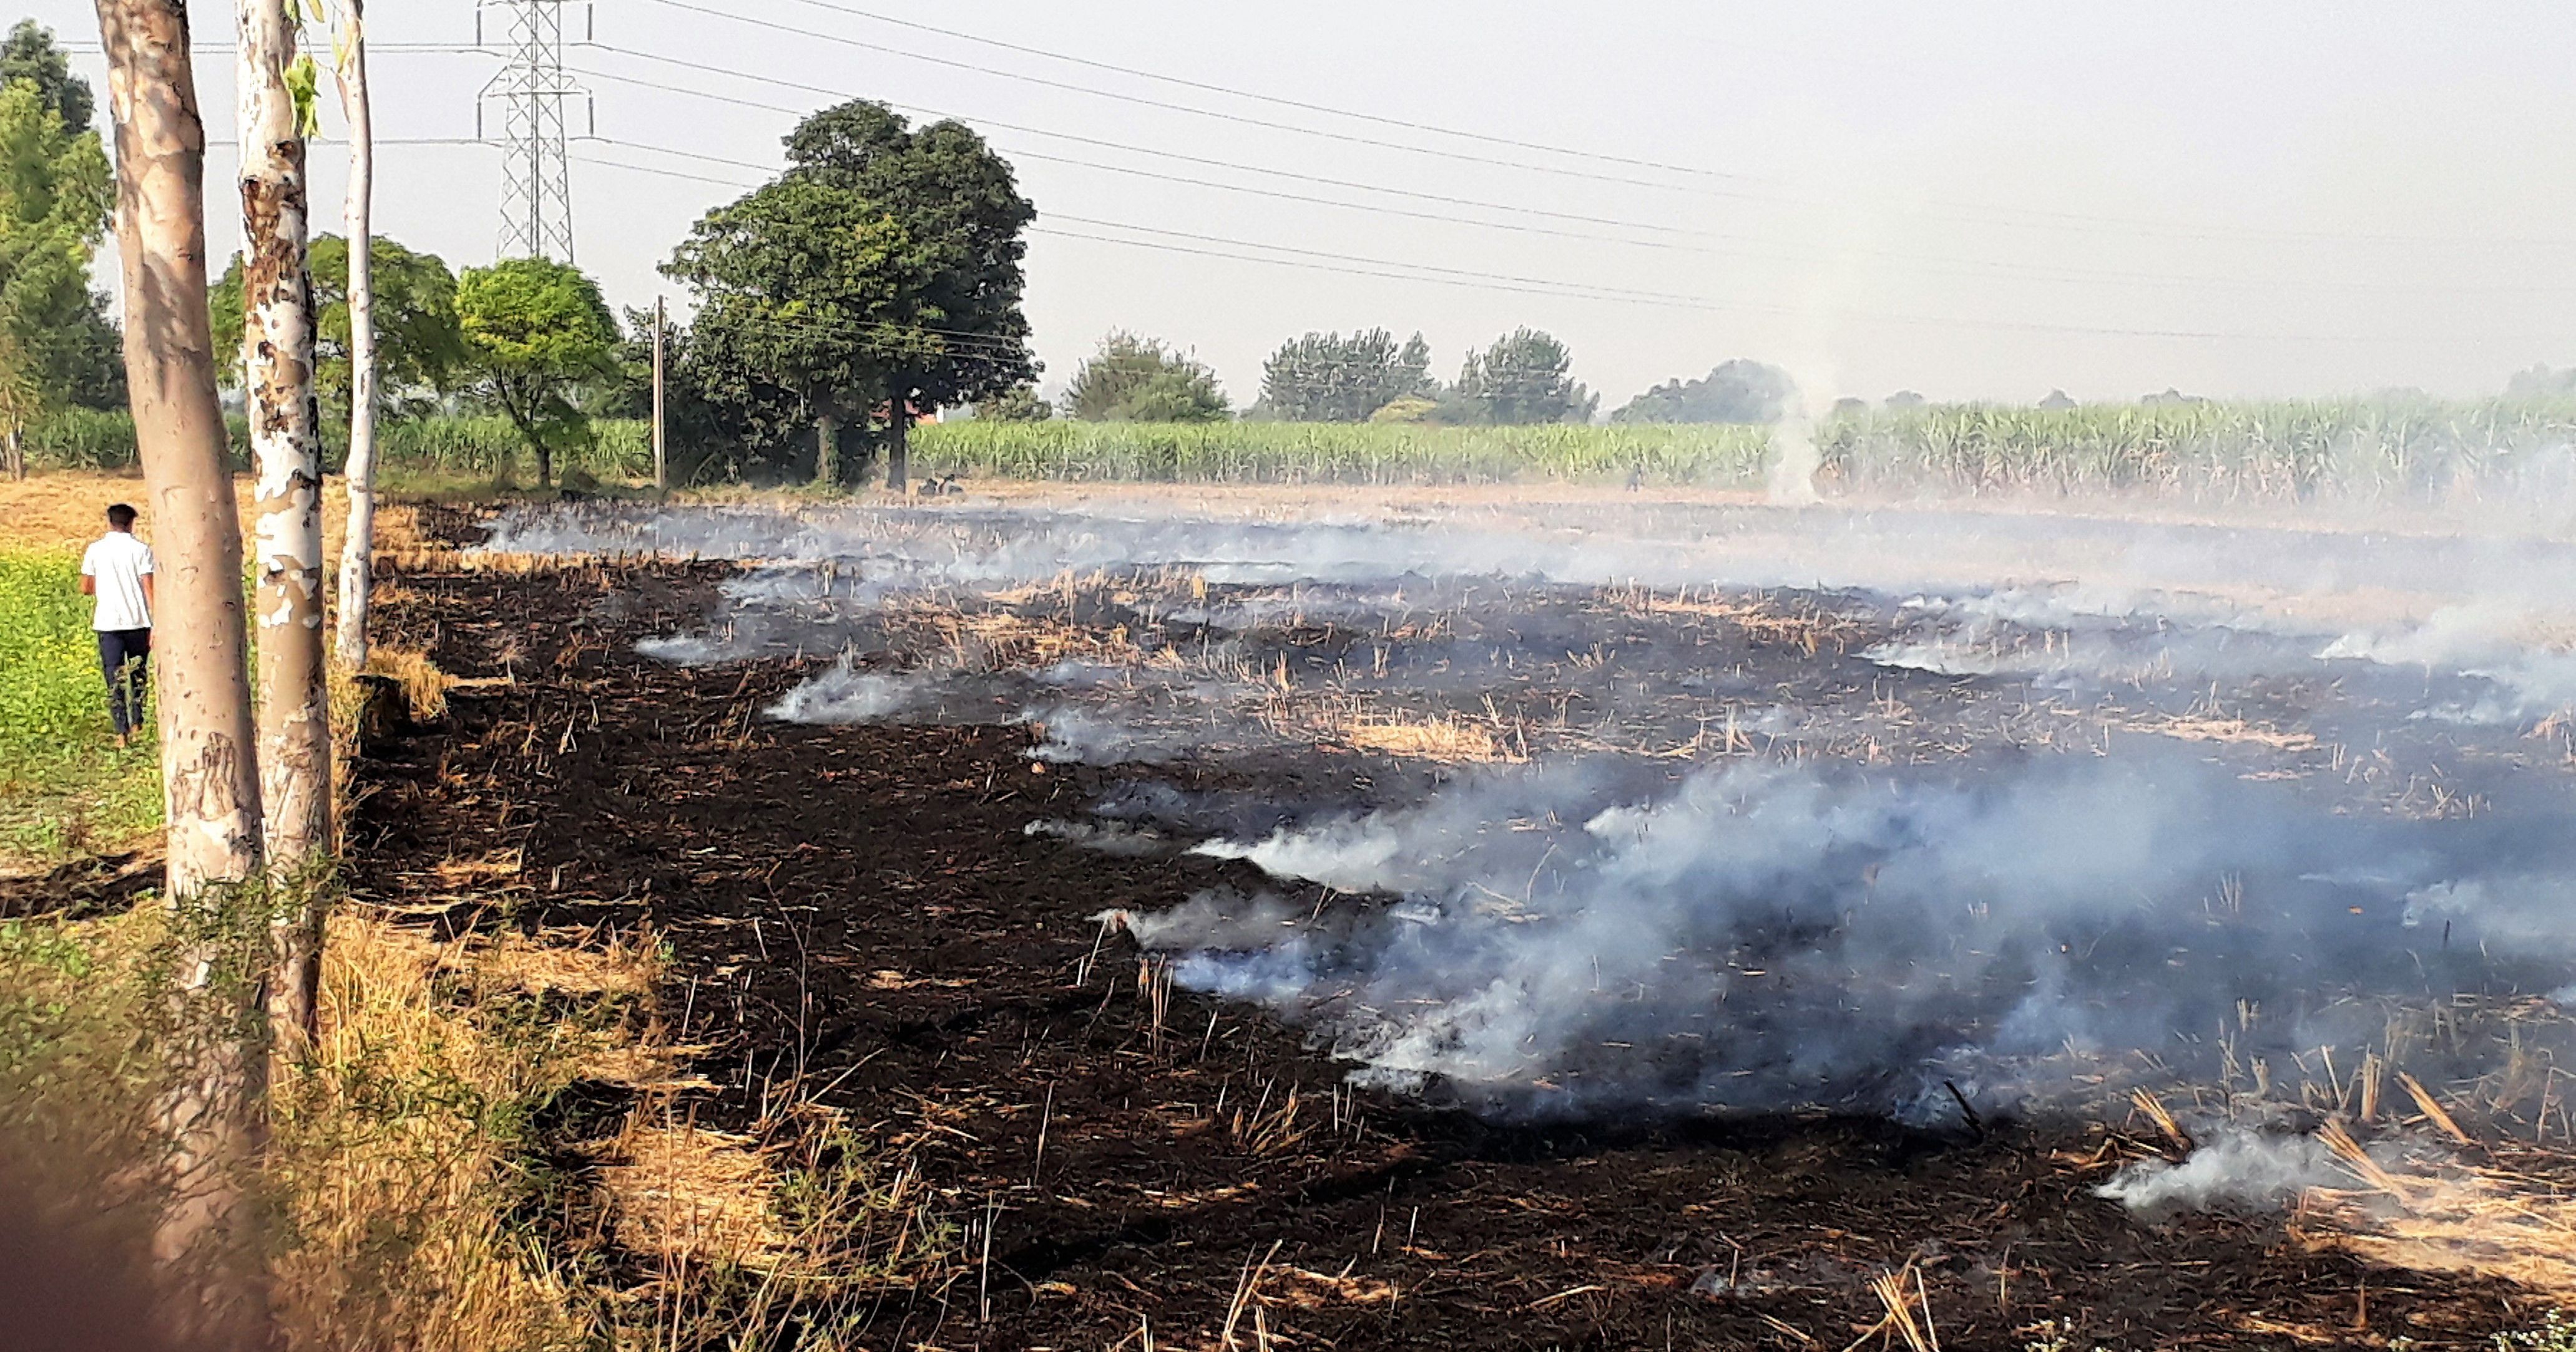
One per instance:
(53, 218)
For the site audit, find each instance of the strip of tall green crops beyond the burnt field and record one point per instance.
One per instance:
(2199, 449)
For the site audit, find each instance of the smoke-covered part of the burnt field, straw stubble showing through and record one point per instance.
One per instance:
(1889, 841)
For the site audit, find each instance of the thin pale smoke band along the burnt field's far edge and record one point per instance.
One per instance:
(2317, 576)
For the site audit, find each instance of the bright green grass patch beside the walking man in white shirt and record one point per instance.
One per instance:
(66, 787)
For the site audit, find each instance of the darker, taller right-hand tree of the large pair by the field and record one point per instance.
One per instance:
(967, 218)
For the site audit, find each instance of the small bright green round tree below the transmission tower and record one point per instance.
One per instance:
(535, 336)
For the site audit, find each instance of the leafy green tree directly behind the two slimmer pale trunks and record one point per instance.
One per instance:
(419, 344)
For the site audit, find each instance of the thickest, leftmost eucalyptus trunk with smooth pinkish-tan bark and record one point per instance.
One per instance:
(210, 771)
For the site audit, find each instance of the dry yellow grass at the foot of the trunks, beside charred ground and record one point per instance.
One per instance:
(421, 1219)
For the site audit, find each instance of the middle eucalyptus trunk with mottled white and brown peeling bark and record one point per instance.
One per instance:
(287, 455)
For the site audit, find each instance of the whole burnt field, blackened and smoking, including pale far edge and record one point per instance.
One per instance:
(1271, 936)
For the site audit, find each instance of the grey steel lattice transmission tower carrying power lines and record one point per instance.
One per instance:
(535, 122)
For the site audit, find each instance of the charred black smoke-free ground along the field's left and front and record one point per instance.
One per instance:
(859, 913)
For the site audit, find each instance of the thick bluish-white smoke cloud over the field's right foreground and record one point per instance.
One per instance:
(1771, 936)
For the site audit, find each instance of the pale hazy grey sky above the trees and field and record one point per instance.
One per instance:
(1969, 200)
